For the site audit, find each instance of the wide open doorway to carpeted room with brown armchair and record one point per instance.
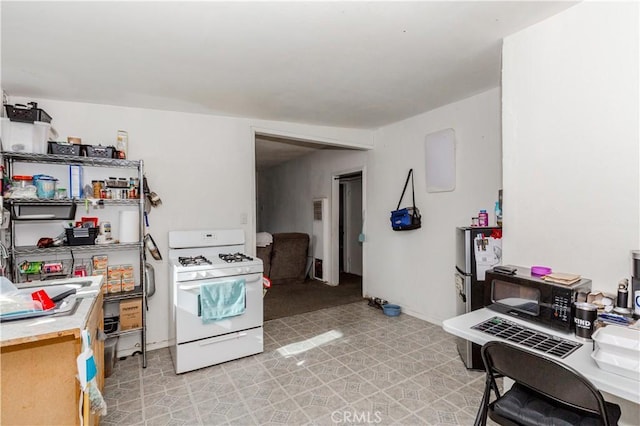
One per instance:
(288, 189)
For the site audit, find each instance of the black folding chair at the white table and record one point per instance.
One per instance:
(545, 392)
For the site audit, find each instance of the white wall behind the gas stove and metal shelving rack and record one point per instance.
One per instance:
(202, 167)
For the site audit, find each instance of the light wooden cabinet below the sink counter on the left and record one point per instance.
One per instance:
(38, 385)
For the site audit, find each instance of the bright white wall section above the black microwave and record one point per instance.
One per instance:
(571, 142)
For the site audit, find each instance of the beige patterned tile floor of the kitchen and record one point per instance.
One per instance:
(343, 365)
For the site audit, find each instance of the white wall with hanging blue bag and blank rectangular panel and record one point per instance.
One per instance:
(415, 268)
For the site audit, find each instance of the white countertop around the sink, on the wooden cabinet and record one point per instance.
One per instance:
(34, 329)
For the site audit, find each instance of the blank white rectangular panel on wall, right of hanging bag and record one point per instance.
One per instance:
(440, 156)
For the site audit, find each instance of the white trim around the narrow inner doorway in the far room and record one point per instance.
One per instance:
(334, 249)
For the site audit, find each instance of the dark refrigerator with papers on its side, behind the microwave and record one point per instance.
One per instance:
(478, 249)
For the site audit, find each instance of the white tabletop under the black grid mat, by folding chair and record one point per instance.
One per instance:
(580, 360)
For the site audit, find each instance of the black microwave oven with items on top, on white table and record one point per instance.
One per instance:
(531, 298)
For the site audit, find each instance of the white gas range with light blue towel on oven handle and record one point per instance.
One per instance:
(210, 264)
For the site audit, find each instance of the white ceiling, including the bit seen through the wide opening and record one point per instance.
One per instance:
(346, 64)
